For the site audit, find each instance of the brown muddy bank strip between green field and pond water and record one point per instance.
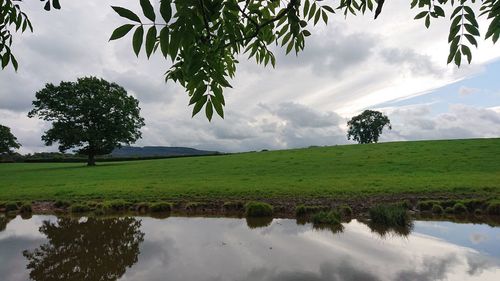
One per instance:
(282, 207)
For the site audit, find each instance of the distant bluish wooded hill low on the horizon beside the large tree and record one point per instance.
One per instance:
(152, 151)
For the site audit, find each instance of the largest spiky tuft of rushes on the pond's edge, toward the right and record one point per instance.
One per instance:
(389, 215)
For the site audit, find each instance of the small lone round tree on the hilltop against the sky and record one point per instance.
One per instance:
(367, 127)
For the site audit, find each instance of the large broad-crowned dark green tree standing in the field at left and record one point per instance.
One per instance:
(91, 114)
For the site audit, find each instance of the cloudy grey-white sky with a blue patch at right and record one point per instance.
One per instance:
(392, 64)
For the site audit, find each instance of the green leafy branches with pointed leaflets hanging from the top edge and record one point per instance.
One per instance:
(204, 37)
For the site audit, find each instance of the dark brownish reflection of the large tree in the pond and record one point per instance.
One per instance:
(86, 249)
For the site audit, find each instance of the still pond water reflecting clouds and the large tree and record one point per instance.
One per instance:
(177, 248)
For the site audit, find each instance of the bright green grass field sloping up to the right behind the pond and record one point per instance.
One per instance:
(424, 167)
